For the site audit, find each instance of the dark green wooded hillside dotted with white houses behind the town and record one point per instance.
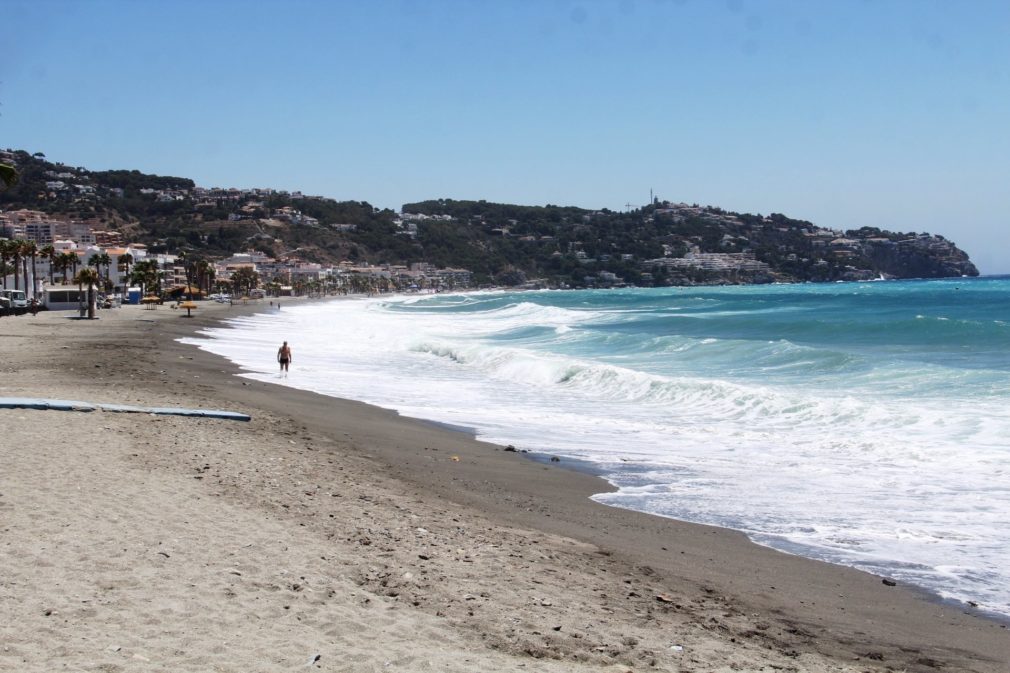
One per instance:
(662, 244)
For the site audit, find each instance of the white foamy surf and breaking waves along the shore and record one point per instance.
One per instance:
(856, 472)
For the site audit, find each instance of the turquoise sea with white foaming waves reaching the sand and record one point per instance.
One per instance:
(863, 424)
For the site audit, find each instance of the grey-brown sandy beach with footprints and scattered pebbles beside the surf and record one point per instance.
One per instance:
(329, 535)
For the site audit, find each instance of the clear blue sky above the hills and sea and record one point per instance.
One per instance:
(848, 114)
